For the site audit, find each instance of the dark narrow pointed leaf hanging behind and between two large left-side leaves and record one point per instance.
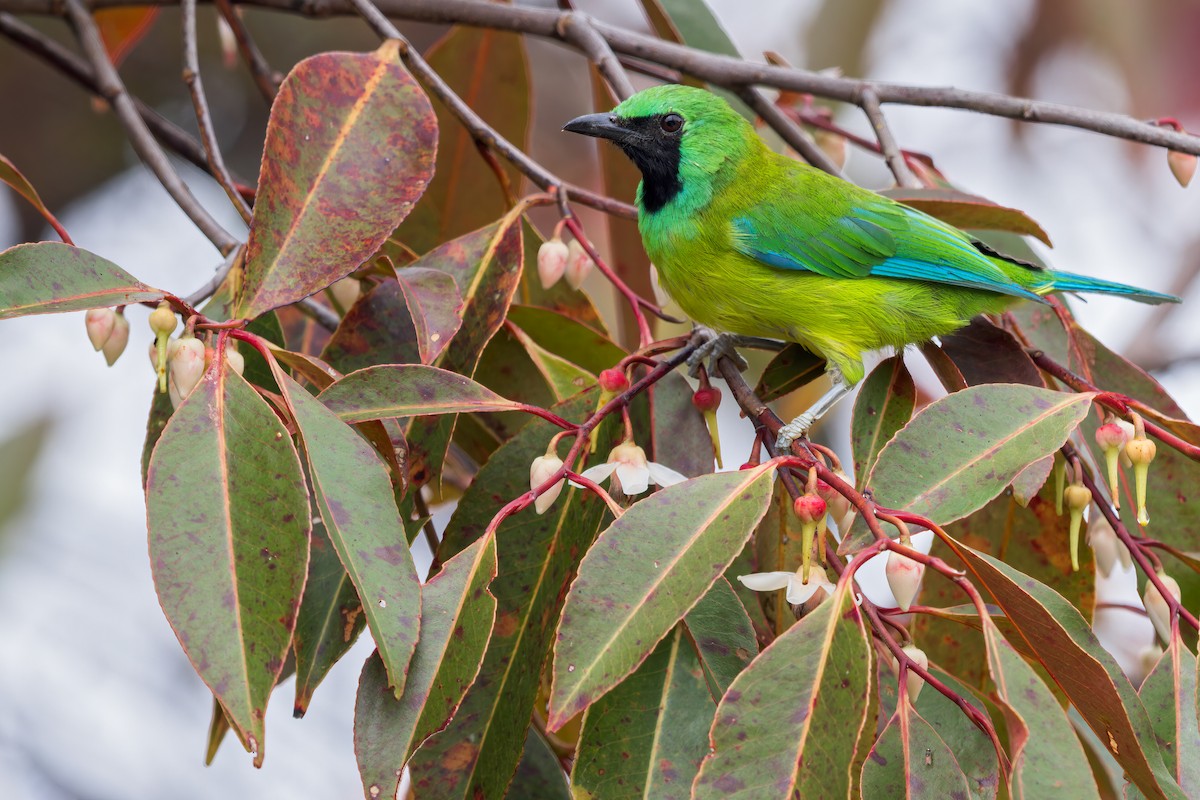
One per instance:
(331, 618)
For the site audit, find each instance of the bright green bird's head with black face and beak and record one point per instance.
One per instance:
(680, 137)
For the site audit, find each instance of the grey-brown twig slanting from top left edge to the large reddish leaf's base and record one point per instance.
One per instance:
(143, 142)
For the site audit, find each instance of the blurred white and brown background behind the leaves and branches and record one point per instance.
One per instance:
(99, 700)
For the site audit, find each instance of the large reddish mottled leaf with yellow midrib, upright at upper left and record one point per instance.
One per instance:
(350, 149)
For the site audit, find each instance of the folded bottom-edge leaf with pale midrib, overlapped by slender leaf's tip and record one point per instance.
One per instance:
(458, 615)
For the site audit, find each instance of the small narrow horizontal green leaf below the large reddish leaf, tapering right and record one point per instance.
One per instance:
(391, 390)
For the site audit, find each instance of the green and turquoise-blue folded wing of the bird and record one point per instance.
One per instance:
(874, 238)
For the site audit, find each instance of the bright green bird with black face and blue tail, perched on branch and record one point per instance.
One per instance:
(755, 244)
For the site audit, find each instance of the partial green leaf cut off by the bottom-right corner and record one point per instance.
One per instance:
(1169, 694)
